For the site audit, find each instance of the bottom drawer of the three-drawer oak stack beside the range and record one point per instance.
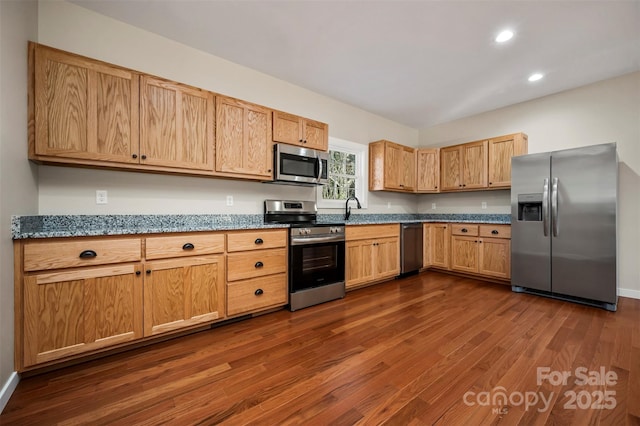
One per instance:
(256, 294)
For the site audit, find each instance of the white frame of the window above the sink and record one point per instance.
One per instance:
(362, 160)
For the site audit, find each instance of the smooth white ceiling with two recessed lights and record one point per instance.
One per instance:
(415, 62)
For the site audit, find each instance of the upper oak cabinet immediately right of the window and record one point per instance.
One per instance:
(392, 167)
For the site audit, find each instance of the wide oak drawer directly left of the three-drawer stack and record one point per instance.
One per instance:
(184, 245)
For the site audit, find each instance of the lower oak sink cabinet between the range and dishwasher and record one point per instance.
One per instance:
(371, 259)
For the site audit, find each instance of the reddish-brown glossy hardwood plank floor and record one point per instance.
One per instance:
(429, 349)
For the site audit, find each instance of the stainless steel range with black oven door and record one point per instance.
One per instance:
(316, 253)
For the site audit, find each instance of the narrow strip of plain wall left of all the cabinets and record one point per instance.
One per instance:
(18, 178)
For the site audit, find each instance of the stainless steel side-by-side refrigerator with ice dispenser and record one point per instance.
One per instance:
(563, 224)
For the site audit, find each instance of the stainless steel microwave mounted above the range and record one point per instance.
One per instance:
(300, 165)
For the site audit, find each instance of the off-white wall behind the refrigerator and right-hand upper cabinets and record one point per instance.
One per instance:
(607, 111)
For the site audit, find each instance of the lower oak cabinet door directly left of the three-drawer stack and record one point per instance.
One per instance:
(183, 292)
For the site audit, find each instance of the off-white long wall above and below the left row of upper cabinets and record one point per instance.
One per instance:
(72, 191)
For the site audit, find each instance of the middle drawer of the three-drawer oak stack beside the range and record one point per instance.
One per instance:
(258, 263)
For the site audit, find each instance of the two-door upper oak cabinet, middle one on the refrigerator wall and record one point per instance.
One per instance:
(464, 167)
